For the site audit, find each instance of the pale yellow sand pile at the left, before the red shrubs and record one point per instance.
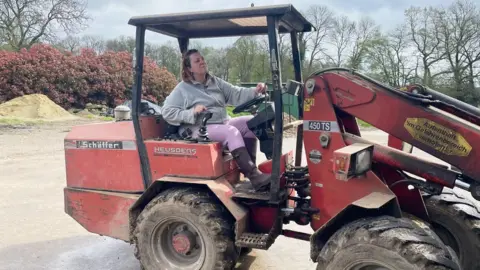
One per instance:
(35, 106)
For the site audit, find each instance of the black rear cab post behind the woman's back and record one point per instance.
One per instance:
(136, 99)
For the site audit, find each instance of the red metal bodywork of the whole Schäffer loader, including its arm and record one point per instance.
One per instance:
(104, 180)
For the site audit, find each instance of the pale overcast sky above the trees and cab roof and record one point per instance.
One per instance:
(110, 17)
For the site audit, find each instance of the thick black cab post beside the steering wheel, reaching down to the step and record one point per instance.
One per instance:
(277, 90)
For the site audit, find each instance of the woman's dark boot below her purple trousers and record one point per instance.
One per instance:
(259, 180)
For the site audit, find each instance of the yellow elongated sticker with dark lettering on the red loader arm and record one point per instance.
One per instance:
(440, 138)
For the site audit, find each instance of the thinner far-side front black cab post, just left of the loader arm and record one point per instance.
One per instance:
(297, 65)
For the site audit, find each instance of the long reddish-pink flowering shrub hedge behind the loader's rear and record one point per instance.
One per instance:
(75, 80)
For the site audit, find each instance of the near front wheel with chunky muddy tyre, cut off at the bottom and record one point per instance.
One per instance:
(385, 243)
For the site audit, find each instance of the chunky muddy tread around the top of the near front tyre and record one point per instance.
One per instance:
(417, 244)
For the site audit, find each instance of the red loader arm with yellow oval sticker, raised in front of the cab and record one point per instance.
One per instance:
(442, 126)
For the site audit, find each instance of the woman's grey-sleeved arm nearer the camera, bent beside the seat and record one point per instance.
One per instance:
(173, 111)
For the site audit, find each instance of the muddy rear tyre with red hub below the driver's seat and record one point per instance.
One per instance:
(185, 228)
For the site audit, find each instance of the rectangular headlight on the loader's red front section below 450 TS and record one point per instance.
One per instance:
(352, 160)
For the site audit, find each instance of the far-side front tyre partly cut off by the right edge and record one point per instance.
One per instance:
(456, 220)
